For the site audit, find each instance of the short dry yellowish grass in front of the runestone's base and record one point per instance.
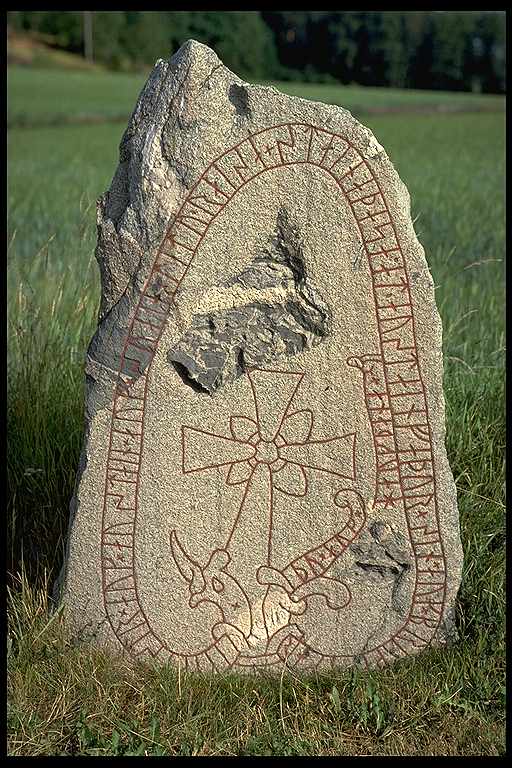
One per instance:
(66, 700)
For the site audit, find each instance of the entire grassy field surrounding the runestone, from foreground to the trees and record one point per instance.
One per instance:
(68, 700)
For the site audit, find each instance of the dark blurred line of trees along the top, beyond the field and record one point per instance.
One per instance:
(449, 50)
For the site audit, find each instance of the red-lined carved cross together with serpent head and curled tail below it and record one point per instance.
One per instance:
(269, 454)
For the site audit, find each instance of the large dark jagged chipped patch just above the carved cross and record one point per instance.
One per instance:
(268, 311)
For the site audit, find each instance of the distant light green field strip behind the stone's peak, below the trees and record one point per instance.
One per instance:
(51, 96)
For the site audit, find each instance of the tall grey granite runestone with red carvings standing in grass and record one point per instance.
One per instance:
(264, 478)
